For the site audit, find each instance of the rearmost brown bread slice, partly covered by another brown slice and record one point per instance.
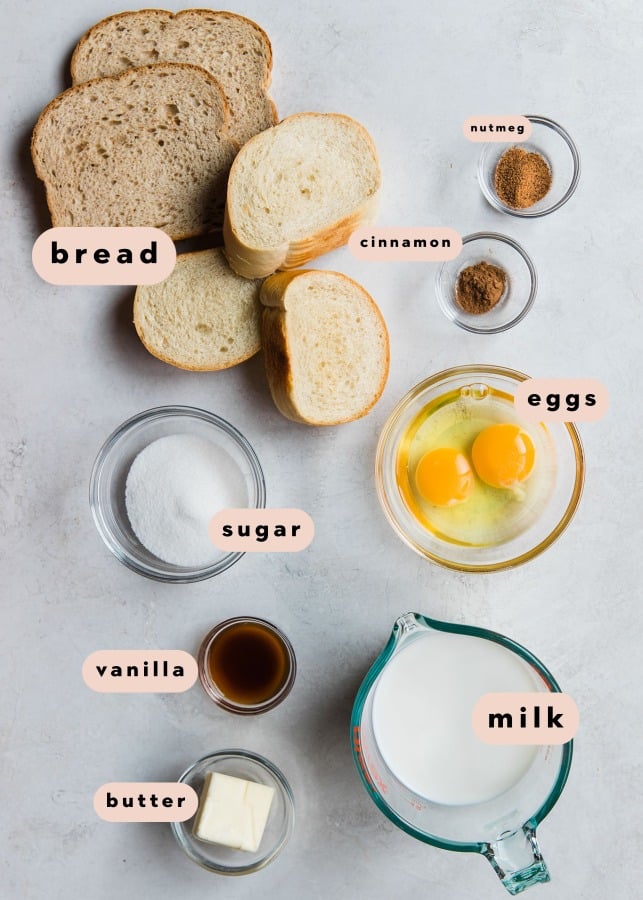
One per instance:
(232, 48)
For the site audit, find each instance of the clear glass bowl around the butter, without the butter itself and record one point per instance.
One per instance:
(279, 827)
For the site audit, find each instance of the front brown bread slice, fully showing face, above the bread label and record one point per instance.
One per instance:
(147, 147)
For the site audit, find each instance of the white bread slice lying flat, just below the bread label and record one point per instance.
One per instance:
(203, 317)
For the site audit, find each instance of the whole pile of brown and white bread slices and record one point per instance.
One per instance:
(169, 124)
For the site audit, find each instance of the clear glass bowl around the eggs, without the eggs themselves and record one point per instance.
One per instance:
(562, 501)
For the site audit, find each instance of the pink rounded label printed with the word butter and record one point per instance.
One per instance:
(145, 801)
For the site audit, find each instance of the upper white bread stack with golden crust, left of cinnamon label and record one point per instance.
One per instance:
(299, 190)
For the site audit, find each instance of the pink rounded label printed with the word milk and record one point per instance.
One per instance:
(525, 718)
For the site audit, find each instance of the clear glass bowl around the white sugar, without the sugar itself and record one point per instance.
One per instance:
(107, 485)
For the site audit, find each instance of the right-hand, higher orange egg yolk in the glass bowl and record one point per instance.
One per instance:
(503, 455)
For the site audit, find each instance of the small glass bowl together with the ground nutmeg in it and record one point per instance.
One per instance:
(534, 177)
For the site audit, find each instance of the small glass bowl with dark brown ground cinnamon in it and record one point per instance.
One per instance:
(490, 286)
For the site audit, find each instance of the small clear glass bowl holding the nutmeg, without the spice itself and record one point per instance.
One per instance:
(559, 151)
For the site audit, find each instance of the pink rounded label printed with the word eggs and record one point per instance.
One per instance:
(561, 400)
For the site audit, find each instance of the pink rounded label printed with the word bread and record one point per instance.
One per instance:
(104, 256)
